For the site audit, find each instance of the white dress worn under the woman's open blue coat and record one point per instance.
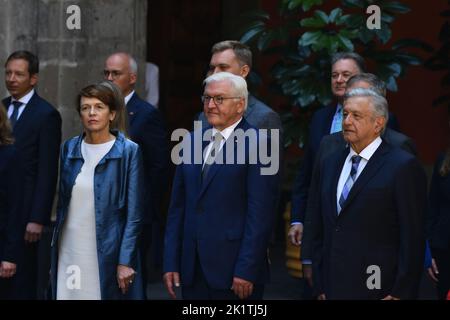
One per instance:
(78, 272)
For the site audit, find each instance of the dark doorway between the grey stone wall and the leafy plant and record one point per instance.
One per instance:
(179, 38)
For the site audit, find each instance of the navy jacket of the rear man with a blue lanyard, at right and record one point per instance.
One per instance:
(320, 126)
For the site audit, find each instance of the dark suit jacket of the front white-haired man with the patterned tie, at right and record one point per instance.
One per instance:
(380, 224)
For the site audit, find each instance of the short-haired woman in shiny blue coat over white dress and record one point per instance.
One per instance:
(99, 214)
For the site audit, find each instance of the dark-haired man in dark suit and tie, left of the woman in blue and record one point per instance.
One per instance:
(37, 132)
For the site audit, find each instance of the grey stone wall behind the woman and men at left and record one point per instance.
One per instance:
(71, 59)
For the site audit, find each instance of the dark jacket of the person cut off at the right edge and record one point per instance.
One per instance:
(438, 217)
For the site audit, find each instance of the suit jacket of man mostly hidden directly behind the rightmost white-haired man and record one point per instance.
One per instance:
(334, 143)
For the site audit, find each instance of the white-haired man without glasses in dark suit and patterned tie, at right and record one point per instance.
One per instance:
(367, 225)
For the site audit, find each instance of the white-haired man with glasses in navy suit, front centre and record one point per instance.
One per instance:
(221, 213)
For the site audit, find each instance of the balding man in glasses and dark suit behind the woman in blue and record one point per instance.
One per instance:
(147, 129)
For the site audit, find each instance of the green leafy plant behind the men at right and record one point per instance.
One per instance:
(303, 37)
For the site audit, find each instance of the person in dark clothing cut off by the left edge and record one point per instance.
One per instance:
(11, 226)
